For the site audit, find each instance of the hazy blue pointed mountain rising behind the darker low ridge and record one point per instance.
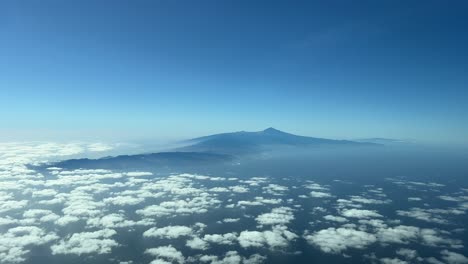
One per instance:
(247, 142)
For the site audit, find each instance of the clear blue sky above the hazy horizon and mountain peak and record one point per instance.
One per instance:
(172, 69)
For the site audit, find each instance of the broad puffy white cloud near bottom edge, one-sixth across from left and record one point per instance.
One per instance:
(97, 242)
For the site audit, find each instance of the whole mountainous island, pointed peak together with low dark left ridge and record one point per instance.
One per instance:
(208, 150)
